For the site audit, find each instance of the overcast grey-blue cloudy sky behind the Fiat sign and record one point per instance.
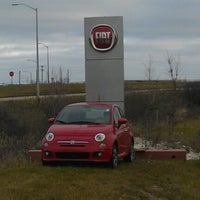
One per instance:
(151, 29)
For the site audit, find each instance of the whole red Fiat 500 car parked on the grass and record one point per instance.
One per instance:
(96, 132)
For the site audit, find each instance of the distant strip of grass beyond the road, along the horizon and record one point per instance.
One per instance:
(58, 88)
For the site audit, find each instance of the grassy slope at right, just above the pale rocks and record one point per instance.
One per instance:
(183, 134)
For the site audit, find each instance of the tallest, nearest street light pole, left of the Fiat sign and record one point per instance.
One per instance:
(37, 49)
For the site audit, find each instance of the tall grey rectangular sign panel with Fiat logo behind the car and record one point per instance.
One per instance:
(104, 59)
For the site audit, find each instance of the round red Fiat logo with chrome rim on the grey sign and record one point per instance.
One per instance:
(103, 37)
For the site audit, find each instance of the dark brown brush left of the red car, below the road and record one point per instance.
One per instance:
(23, 124)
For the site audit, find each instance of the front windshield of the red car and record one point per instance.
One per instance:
(84, 114)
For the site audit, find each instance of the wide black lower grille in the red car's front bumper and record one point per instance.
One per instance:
(72, 155)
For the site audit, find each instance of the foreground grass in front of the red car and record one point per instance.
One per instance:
(141, 180)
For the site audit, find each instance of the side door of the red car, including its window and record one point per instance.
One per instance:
(121, 131)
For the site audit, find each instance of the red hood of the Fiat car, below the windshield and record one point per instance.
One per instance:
(89, 130)
